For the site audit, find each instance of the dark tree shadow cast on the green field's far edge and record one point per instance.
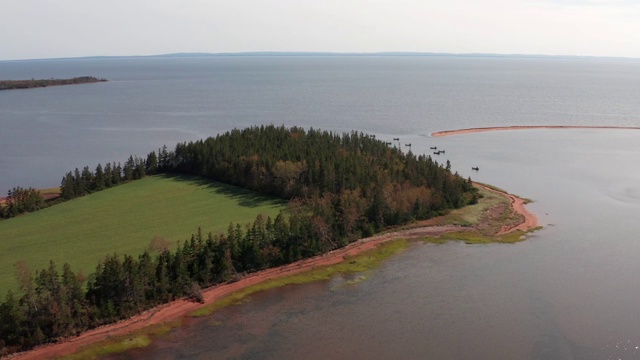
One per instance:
(244, 197)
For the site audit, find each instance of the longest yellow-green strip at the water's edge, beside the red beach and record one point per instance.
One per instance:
(357, 264)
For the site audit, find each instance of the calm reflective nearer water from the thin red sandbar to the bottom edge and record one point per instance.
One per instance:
(569, 292)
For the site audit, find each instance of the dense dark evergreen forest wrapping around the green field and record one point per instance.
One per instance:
(340, 188)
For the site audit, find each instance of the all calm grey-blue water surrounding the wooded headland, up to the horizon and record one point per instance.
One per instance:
(569, 292)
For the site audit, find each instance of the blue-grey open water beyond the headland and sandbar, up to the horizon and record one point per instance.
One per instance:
(149, 102)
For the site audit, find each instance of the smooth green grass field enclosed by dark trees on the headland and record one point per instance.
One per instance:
(124, 220)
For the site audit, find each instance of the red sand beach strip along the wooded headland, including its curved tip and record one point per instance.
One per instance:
(181, 308)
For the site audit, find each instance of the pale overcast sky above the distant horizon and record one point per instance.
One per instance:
(67, 28)
